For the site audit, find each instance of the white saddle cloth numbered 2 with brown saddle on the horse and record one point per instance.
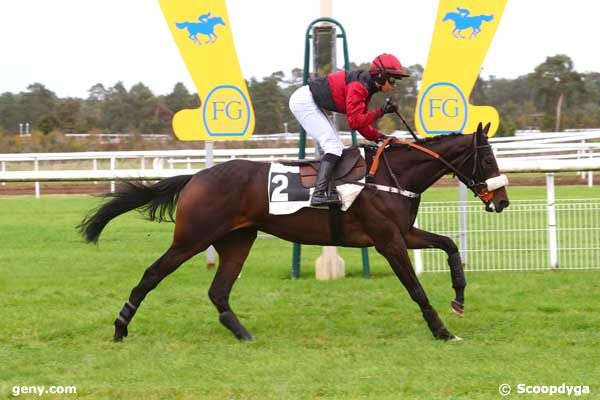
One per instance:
(291, 183)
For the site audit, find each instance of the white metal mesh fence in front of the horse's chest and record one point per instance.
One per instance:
(519, 239)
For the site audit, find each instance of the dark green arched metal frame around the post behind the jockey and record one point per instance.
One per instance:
(296, 252)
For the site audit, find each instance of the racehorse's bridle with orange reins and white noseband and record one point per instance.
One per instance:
(483, 189)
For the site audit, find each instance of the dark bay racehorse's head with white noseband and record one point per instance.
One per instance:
(481, 169)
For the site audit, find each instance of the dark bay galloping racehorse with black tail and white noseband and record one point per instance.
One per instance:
(226, 205)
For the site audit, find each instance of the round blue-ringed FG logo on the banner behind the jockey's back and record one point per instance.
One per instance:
(226, 111)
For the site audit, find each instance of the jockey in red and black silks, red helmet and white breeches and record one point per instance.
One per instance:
(345, 92)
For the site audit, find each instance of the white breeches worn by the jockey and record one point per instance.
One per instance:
(315, 122)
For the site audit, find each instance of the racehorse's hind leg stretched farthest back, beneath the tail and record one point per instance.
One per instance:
(169, 262)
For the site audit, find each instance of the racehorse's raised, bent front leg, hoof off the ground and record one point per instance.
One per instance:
(419, 239)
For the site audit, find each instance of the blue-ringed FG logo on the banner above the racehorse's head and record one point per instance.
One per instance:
(443, 109)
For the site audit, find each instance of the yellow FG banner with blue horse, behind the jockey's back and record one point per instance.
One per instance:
(202, 32)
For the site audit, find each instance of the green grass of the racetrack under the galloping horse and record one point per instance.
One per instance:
(346, 339)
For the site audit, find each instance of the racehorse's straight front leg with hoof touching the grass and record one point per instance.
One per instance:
(396, 252)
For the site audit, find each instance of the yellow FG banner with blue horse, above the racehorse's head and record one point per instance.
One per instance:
(463, 32)
